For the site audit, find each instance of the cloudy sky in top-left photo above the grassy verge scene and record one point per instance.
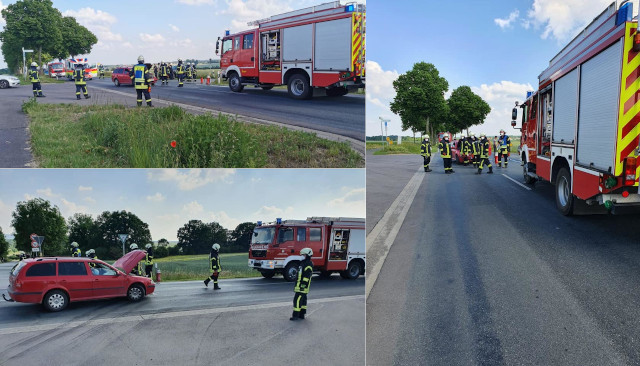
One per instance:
(164, 29)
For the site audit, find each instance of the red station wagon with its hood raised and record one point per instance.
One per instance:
(56, 281)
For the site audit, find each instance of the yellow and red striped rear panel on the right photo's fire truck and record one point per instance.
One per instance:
(629, 117)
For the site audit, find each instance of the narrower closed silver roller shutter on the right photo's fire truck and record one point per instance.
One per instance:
(564, 113)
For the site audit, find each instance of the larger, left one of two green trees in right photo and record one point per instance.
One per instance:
(419, 99)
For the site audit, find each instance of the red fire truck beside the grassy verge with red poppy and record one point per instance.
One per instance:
(317, 47)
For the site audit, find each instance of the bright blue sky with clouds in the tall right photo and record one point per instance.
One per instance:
(497, 47)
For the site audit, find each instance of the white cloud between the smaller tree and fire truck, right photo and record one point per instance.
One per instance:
(501, 97)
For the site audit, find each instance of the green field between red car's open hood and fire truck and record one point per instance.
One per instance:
(196, 267)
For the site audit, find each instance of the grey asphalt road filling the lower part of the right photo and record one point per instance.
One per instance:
(483, 271)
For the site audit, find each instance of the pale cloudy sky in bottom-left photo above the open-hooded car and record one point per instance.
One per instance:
(168, 198)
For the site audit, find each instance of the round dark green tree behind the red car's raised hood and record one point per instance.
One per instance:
(110, 224)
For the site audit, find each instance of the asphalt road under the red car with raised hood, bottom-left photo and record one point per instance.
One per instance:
(184, 323)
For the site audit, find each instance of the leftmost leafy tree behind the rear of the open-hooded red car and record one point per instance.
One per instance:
(38, 216)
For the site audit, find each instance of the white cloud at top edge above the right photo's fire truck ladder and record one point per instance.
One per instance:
(562, 19)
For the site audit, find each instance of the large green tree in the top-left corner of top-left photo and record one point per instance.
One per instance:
(33, 24)
